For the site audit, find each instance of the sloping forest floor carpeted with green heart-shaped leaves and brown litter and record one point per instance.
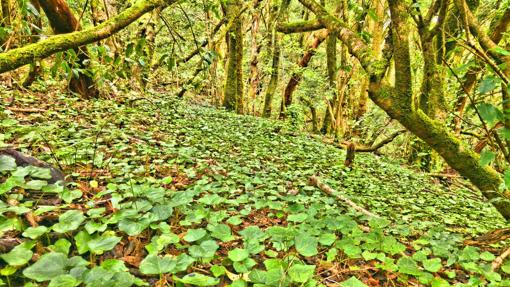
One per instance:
(162, 192)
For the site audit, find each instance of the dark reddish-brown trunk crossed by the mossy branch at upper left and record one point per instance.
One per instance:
(62, 21)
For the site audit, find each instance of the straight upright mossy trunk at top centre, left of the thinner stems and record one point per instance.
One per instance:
(234, 81)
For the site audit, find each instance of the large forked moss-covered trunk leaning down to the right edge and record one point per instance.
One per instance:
(397, 101)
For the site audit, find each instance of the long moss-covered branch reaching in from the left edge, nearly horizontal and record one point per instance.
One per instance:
(16, 58)
